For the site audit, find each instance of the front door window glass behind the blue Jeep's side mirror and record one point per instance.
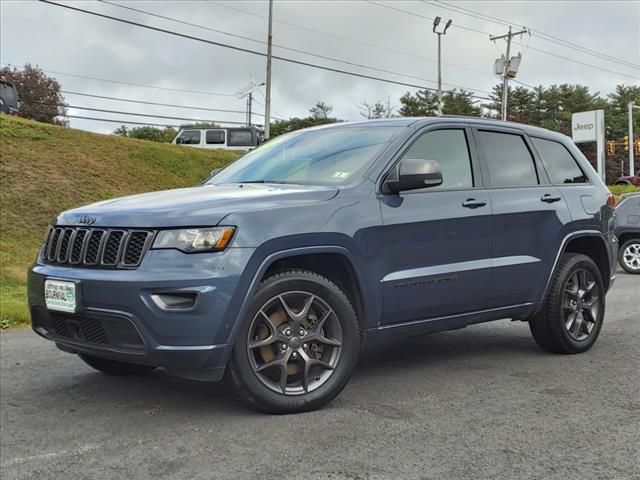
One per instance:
(450, 149)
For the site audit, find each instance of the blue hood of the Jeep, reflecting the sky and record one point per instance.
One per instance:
(197, 206)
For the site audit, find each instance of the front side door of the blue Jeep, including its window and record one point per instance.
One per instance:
(437, 241)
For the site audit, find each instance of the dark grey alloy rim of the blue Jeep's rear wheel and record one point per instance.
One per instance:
(581, 304)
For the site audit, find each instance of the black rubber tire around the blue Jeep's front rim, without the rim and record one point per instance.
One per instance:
(240, 365)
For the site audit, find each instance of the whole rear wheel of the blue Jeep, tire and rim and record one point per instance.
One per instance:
(572, 316)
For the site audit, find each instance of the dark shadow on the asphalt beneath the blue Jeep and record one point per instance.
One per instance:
(161, 393)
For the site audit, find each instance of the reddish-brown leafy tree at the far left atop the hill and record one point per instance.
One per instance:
(39, 95)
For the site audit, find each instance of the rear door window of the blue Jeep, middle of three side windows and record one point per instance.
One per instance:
(509, 161)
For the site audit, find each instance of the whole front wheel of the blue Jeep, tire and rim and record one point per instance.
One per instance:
(268, 368)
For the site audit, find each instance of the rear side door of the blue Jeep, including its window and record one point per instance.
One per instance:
(528, 216)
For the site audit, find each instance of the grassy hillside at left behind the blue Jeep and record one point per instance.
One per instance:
(45, 169)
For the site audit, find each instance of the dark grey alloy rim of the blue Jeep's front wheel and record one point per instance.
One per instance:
(294, 343)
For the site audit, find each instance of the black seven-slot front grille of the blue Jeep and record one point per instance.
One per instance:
(97, 247)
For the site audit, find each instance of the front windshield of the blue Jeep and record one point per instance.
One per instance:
(329, 156)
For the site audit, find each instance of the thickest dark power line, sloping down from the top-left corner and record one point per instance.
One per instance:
(242, 49)
